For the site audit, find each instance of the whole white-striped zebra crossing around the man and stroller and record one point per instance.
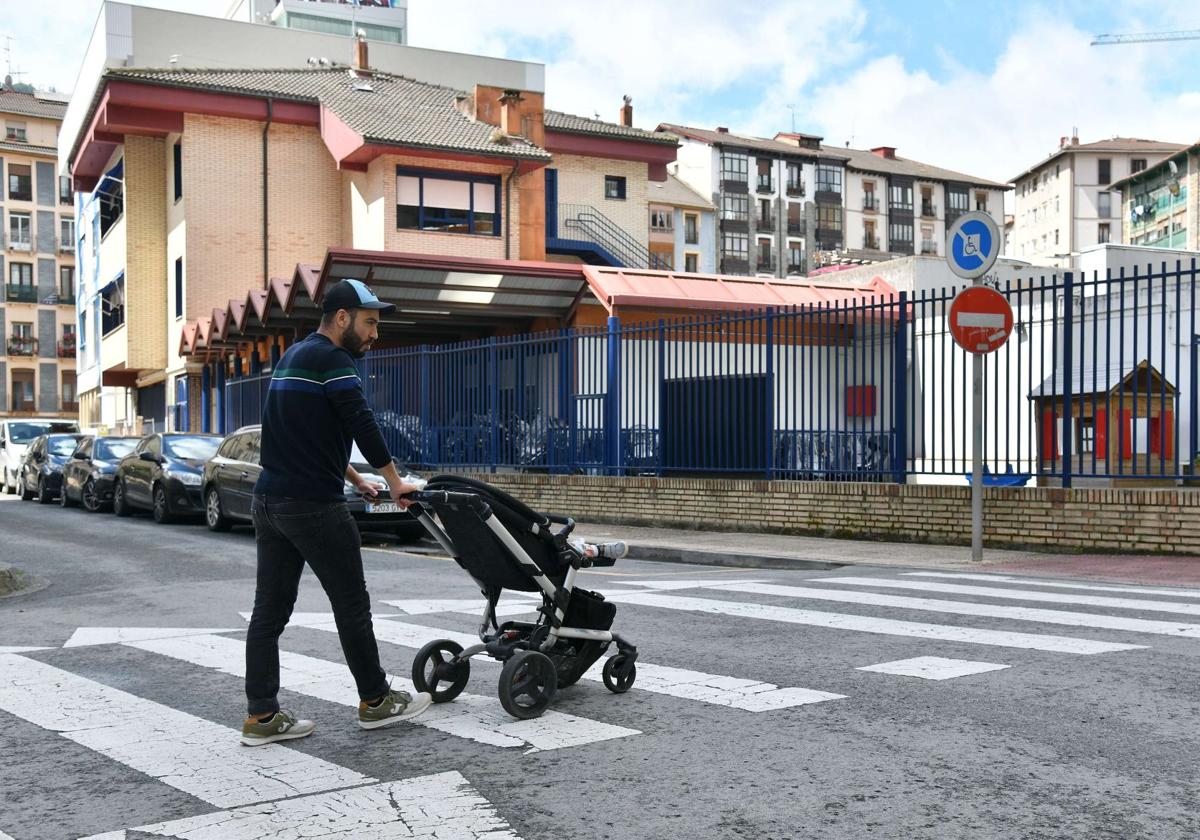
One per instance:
(284, 793)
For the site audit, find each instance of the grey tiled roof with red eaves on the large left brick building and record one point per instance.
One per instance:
(383, 109)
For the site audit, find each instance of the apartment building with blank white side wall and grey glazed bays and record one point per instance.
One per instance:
(777, 202)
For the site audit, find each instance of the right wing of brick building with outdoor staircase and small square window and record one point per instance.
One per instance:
(599, 187)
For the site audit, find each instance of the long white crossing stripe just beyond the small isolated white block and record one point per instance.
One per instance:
(885, 627)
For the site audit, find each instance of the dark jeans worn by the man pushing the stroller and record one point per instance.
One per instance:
(323, 535)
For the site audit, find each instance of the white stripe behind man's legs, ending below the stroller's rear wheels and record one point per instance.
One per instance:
(472, 717)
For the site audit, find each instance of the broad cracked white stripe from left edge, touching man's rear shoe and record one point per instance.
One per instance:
(182, 751)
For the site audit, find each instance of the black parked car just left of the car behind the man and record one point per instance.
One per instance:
(164, 476)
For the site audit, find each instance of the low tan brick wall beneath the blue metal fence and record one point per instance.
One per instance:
(1125, 520)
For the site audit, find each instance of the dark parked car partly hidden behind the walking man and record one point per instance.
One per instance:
(230, 481)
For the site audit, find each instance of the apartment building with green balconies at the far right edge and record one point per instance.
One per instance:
(1161, 205)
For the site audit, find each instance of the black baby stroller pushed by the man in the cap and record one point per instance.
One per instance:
(505, 545)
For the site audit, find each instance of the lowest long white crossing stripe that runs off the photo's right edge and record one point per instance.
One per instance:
(1037, 615)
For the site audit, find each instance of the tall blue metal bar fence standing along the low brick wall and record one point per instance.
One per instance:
(1096, 383)
